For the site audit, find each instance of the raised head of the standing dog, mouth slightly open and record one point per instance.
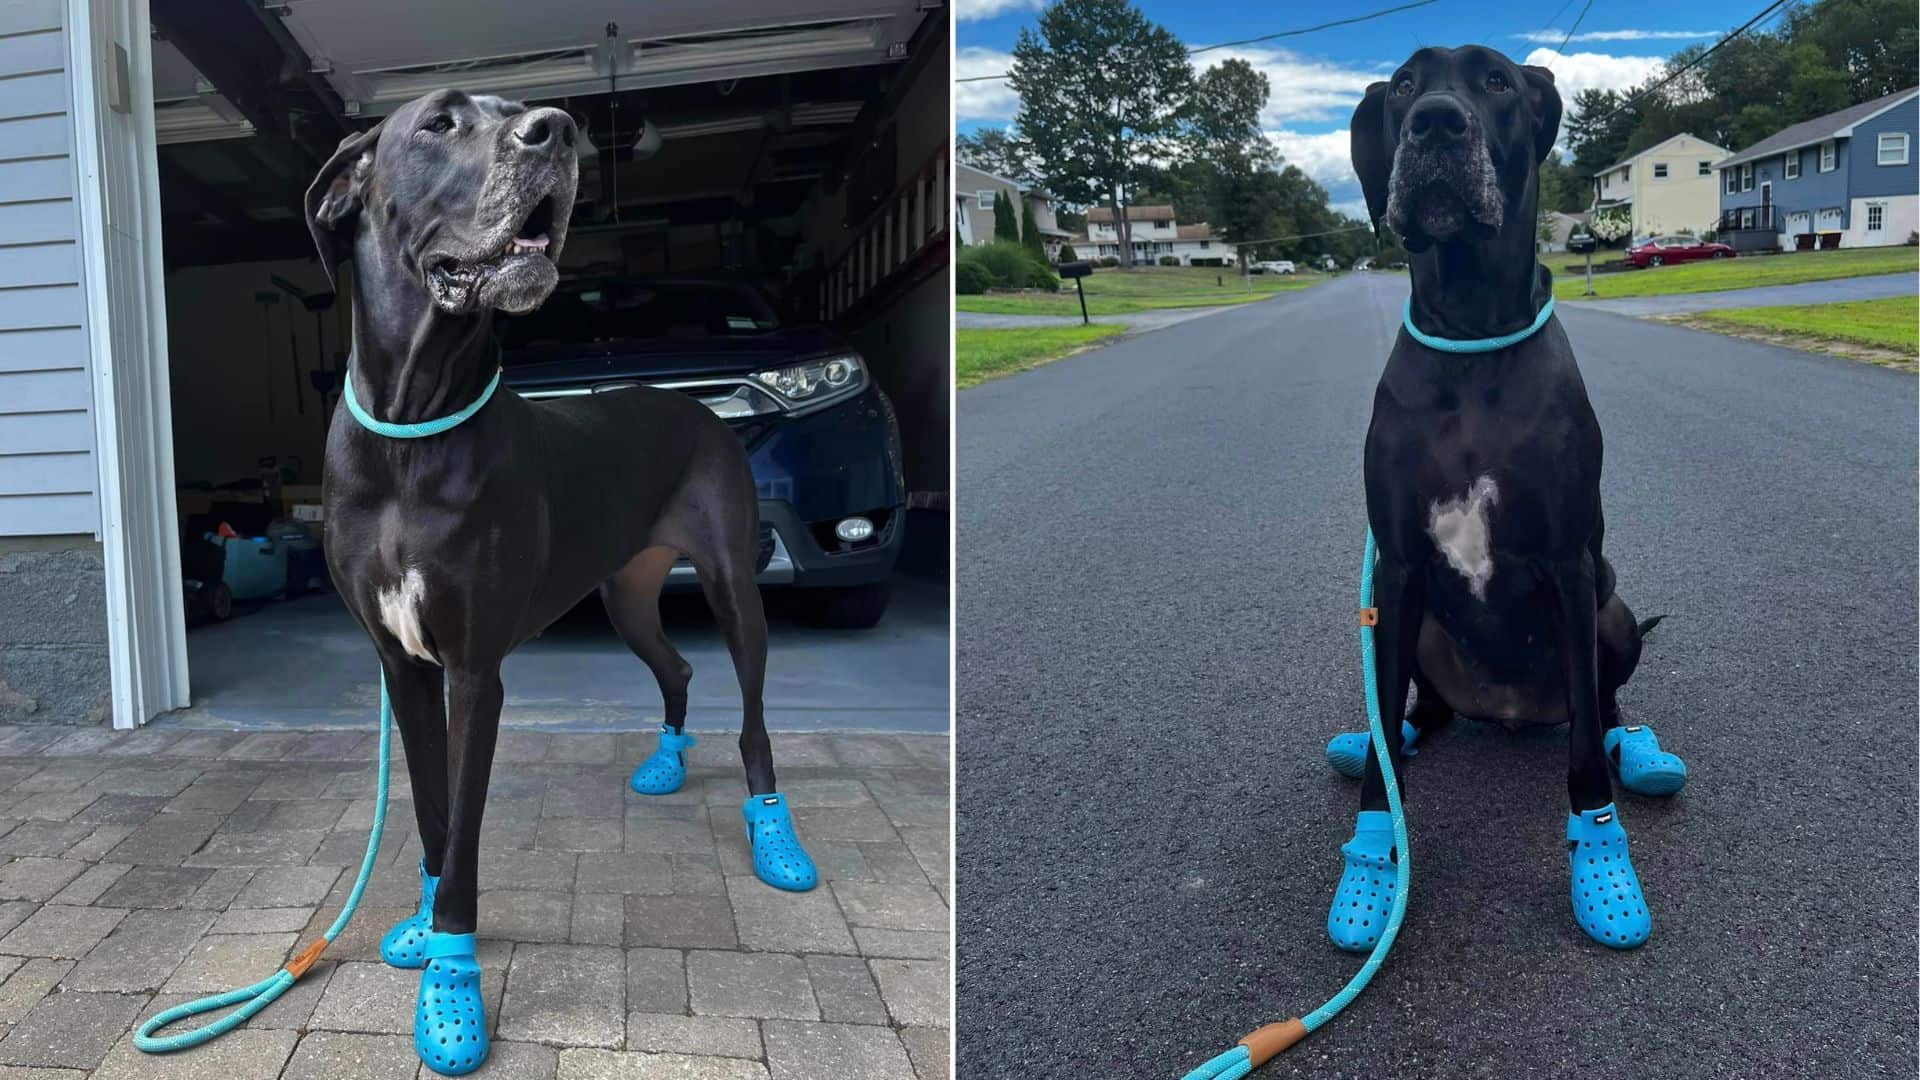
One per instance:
(468, 195)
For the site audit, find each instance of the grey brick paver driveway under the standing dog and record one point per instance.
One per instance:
(619, 937)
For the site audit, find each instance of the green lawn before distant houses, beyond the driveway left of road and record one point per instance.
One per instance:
(1145, 289)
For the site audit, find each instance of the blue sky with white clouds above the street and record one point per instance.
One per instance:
(1320, 78)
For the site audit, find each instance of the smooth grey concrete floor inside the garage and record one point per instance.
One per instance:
(306, 664)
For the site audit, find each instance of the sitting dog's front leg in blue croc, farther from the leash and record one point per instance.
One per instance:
(1604, 887)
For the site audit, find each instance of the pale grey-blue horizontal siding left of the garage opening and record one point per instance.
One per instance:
(49, 476)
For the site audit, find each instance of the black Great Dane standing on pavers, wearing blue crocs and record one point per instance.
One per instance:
(464, 520)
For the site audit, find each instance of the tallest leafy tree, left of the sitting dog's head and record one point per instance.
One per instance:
(1103, 91)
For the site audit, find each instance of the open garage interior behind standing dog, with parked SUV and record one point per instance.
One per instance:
(761, 193)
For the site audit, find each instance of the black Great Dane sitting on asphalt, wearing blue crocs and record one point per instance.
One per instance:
(1483, 485)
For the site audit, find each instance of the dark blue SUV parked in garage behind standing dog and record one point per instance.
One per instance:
(819, 431)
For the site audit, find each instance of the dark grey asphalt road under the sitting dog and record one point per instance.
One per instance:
(1157, 581)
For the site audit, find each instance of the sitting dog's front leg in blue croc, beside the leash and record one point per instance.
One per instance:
(1366, 895)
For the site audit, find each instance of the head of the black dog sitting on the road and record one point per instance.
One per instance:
(1452, 143)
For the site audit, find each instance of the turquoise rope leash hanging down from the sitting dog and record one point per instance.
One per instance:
(1270, 1041)
